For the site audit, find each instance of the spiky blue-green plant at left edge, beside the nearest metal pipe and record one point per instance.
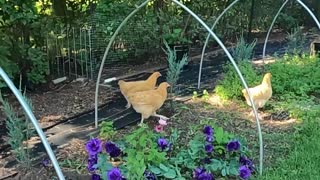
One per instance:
(19, 131)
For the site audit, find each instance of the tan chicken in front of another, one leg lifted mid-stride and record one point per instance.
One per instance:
(148, 102)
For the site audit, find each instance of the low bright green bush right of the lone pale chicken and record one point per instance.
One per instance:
(294, 75)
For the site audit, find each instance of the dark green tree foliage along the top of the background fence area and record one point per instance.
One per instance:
(25, 25)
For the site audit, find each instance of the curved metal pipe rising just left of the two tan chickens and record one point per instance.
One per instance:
(106, 53)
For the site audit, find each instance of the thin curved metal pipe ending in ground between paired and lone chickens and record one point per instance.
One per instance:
(208, 37)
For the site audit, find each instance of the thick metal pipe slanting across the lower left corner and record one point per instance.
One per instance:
(34, 121)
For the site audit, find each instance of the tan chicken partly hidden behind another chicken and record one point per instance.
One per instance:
(135, 86)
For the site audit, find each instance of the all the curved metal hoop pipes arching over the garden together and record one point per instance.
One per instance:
(210, 33)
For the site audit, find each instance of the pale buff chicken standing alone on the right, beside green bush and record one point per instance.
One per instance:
(261, 93)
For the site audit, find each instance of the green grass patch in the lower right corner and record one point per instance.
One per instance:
(303, 161)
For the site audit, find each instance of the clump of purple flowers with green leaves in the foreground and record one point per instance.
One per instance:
(144, 154)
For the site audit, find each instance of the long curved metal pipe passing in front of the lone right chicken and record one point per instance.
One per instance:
(238, 71)
